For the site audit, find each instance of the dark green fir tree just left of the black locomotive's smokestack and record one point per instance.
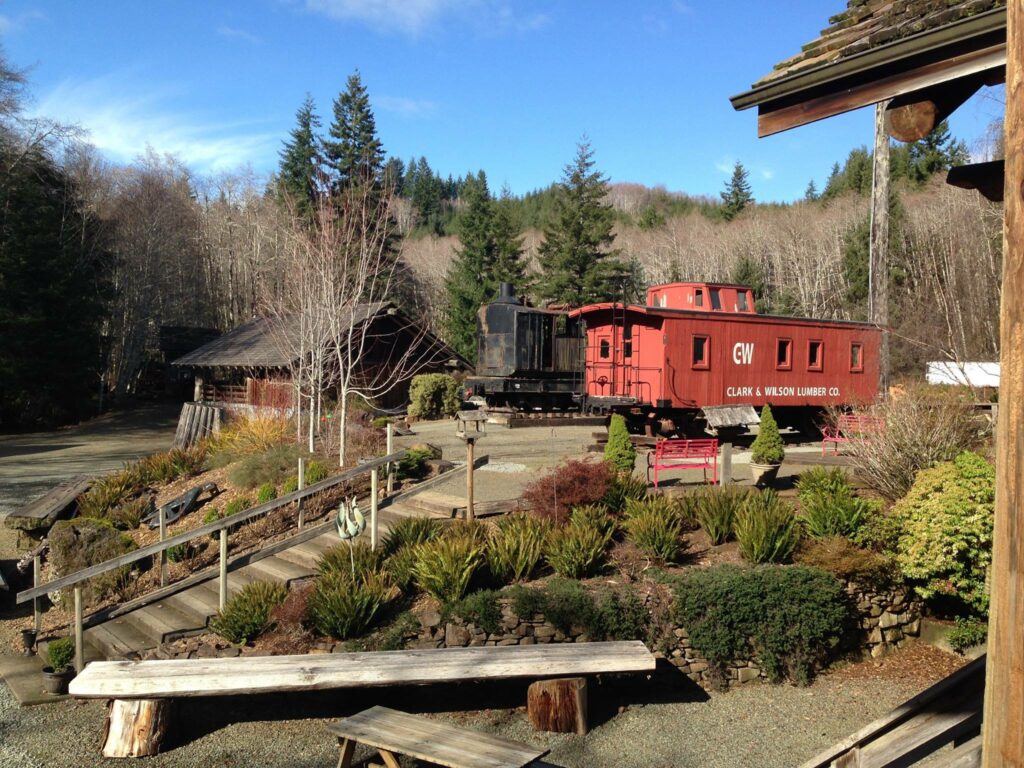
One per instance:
(471, 282)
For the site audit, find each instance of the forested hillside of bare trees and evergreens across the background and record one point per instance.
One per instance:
(97, 258)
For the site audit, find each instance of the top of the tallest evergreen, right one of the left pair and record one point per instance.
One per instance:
(355, 152)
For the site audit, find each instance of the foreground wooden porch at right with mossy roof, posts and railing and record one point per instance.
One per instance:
(916, 62)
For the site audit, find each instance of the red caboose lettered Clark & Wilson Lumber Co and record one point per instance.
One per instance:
(698, 348)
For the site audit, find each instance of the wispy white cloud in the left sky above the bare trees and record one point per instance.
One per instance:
(124, 120)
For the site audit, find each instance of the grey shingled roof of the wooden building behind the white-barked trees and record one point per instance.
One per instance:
(261, 344)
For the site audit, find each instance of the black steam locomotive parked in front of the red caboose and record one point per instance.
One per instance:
(528, 359)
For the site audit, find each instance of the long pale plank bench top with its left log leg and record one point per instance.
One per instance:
(139, 717)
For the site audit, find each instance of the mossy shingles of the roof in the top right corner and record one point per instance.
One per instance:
(871, 24)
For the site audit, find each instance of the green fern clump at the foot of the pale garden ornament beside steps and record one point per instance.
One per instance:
(342, 608)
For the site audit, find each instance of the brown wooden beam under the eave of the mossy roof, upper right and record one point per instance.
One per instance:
(776, 117)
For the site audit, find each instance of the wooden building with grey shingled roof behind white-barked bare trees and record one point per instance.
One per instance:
(252, 366)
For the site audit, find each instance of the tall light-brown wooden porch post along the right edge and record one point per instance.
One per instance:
(1003, 731)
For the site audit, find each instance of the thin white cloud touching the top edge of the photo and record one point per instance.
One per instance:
(413, 18)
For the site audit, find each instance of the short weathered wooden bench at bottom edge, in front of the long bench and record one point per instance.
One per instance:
(393, 733)
